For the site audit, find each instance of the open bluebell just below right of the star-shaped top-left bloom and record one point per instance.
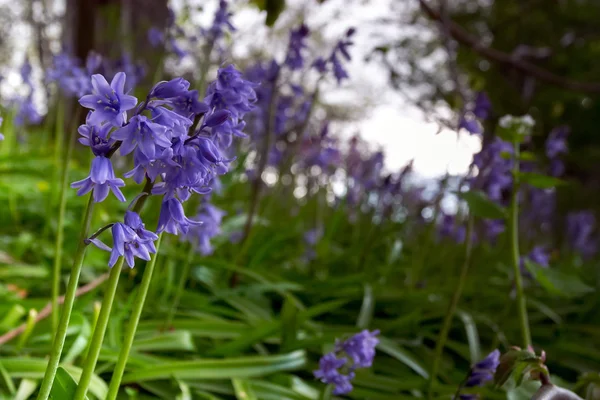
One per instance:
(143, 135)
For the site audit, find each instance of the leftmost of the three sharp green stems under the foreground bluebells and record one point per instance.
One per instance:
(61, 330)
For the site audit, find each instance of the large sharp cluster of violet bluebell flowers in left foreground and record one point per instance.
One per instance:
(174, 140)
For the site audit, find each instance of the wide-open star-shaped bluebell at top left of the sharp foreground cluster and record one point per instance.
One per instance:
(109, 102)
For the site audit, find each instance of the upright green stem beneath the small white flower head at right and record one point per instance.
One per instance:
(514, 240)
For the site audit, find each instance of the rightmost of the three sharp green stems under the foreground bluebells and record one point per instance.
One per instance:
(134, 319)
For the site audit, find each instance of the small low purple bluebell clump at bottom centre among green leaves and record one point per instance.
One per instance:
(337, 367)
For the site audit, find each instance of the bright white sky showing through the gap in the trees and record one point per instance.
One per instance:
(392, 123)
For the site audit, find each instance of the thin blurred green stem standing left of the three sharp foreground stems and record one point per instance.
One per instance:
(60, 229)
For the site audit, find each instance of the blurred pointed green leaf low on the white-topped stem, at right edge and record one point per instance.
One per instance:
(558, 282)
